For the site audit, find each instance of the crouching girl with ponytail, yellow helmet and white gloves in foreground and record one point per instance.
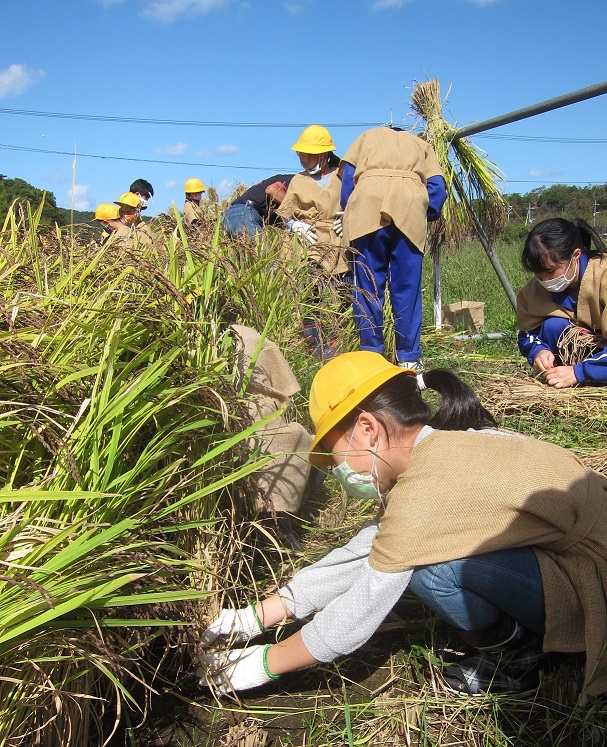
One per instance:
(502, 536)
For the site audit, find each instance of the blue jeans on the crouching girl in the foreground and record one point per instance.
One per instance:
(470, 593)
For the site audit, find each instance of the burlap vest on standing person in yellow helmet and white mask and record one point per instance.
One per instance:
(307, 201)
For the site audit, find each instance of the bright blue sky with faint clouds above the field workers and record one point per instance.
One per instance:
(344, 64)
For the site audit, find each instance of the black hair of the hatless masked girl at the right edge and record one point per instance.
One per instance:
(553, 241)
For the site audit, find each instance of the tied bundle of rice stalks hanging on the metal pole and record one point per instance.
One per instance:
(474, 201)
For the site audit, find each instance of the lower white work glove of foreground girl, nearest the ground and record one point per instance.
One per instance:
(236, 669)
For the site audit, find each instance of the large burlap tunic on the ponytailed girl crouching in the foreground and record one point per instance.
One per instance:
(468, 492)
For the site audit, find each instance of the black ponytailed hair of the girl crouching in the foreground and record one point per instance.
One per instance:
(400, 398)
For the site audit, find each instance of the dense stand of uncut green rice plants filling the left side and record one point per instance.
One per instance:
(124, 485)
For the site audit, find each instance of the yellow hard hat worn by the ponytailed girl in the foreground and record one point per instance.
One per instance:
(339, 386)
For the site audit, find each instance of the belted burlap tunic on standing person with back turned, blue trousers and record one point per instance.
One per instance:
(392, 169)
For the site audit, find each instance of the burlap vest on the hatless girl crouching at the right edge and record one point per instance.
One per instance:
(534, 303)
